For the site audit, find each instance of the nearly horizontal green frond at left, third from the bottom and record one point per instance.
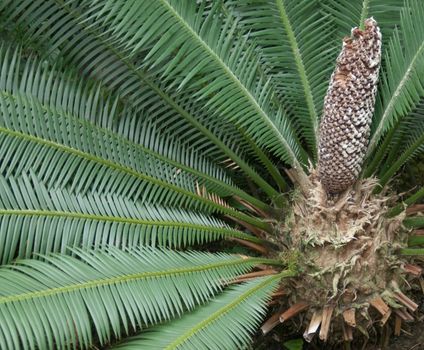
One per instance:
(35, 219)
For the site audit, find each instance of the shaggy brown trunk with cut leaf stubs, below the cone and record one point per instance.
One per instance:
(351, 278)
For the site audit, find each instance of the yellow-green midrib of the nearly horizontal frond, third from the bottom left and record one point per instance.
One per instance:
(76, 215)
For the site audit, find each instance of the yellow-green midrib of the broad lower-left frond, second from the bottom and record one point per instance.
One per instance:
(125, 278)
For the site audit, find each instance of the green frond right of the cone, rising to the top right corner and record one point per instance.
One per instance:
(402, 84)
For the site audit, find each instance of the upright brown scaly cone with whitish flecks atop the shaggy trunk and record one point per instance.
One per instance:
(348, 109)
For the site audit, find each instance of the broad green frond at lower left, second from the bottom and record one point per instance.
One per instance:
(55, 302)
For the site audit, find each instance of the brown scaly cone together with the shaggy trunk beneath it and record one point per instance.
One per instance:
(346, 244)
